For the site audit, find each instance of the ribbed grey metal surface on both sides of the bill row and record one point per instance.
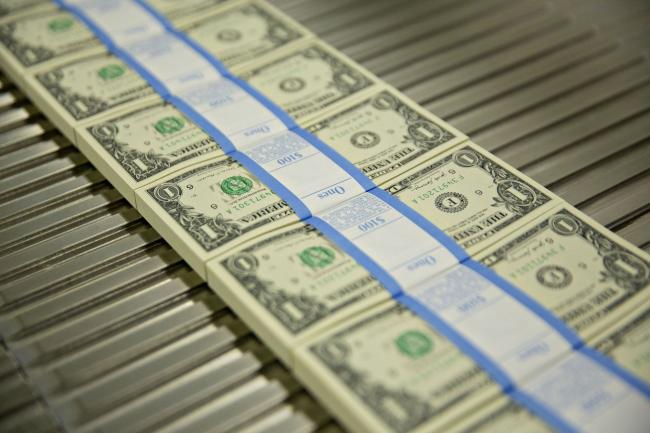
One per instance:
(104, 328)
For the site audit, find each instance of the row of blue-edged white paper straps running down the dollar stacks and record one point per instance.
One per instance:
(534, 356)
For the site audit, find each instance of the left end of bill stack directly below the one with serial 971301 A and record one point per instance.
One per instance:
(292, 284)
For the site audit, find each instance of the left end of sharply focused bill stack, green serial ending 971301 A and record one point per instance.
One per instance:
(210, 207)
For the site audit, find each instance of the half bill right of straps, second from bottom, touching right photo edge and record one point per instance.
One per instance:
(586, 275)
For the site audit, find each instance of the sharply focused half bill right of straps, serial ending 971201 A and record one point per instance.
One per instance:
(471, 195)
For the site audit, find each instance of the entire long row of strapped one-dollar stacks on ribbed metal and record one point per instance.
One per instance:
(287, 222)
